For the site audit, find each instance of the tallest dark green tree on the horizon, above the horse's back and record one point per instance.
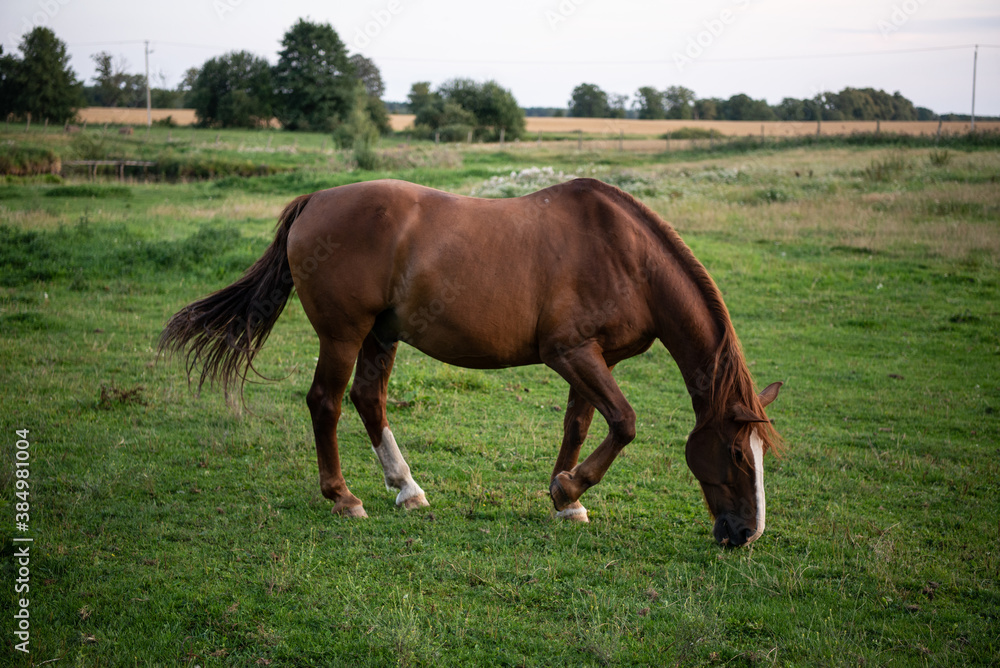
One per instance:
(314, 79)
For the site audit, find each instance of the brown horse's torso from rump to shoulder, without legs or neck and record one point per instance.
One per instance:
(472, 281)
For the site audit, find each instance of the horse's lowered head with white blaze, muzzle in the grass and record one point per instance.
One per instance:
(726, 455)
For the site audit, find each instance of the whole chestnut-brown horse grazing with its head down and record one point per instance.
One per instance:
(579, 276)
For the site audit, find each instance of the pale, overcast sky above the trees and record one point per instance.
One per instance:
(541, 50)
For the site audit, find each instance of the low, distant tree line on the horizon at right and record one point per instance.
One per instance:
(678, 102)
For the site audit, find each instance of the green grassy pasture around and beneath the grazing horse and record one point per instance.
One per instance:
(174, 529)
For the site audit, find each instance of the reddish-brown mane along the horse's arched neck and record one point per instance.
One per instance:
(731, 379)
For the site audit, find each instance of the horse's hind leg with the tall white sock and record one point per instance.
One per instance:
(368, 394)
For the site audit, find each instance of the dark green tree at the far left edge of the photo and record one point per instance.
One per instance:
(41, 82)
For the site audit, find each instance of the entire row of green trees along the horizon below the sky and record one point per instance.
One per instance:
(317, 85)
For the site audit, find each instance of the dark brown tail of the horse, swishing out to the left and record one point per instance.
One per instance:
(224, 331)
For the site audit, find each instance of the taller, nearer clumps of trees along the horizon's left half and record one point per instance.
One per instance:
(315, 85)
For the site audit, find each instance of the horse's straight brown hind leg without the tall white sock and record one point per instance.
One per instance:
(324, 398)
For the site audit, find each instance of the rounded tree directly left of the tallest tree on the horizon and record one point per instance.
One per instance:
(234, 90)
